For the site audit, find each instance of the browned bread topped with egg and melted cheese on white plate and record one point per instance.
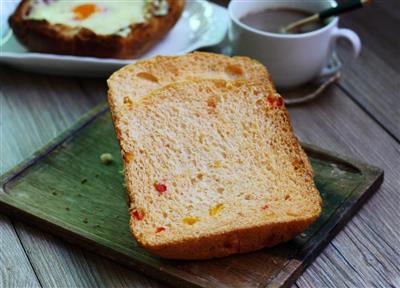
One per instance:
(98, 28)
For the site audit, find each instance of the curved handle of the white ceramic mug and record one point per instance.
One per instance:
(355, 42)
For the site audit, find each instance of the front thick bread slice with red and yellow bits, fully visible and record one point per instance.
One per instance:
(213, 168)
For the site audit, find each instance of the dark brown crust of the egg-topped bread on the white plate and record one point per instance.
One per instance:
(41, 36)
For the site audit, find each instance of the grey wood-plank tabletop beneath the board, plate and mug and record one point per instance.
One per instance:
(371, 81)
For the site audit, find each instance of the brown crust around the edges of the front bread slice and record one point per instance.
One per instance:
(242, 240)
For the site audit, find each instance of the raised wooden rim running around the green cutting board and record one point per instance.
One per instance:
(285, 278)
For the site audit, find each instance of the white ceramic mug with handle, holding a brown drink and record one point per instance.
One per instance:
(292, 59)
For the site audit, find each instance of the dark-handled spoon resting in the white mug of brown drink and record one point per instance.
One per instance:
(341, 8)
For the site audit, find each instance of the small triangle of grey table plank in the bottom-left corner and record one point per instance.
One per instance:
(15, 269)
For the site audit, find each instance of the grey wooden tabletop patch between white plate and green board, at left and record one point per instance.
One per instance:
(35, 109)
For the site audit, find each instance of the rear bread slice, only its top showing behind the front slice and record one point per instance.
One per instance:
(134, 81)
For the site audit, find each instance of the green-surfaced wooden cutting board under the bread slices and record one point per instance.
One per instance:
(65, 189)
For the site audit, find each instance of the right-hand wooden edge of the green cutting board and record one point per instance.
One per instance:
(343, 214)
